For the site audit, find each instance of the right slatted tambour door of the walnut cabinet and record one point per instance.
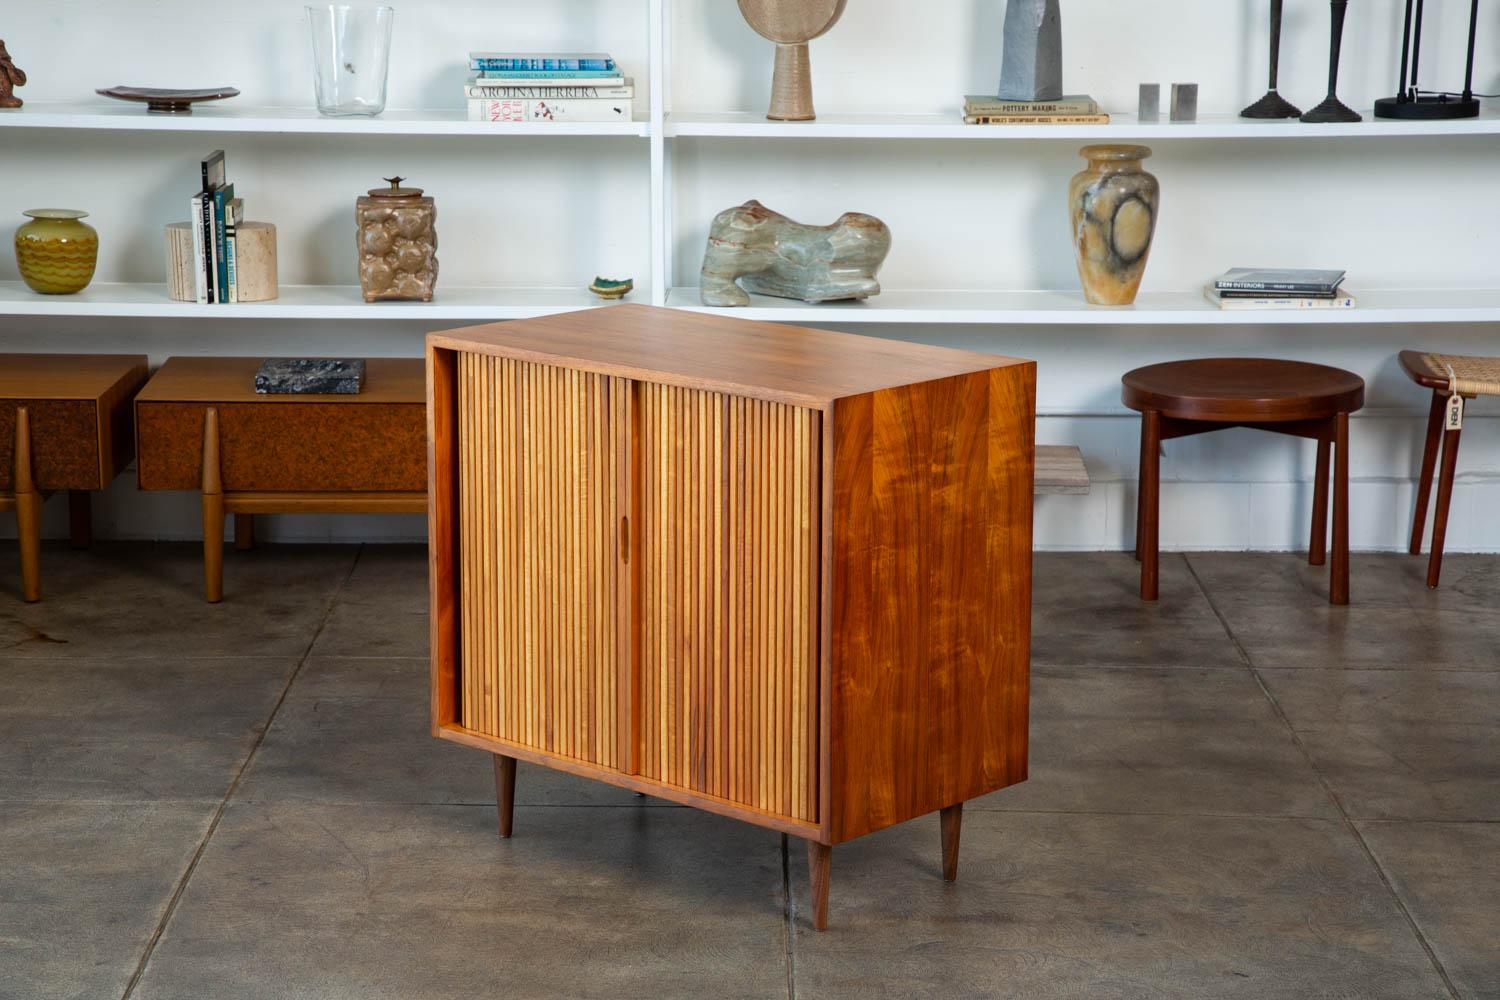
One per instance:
(728, 600)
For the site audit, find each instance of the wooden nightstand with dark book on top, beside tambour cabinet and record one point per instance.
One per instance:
(202, 427)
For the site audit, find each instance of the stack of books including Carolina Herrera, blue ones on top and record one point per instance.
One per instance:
(509, 88)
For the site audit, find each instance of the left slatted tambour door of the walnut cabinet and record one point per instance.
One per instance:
(542, 452)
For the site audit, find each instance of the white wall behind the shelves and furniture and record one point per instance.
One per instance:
(965, 215)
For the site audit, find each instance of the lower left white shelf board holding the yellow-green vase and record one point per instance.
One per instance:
(299, 302)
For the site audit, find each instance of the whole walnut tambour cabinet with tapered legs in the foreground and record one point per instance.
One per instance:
(775, 573)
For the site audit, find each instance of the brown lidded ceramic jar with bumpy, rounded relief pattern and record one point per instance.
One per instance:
(398, 244)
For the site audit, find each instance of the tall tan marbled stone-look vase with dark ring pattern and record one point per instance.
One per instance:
(1114, 211)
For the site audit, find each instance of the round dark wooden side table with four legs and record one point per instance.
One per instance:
(1180, 400)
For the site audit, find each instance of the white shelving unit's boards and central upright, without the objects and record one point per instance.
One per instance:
(662, 128)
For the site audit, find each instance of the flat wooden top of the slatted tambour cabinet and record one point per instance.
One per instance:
(791, 365)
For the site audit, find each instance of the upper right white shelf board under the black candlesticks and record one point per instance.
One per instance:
(1123, 127)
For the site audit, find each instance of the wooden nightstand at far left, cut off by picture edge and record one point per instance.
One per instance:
(65, 425)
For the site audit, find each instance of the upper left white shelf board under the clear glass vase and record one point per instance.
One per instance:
(232, 118)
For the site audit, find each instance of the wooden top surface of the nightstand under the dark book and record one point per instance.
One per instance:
(187, 380)
